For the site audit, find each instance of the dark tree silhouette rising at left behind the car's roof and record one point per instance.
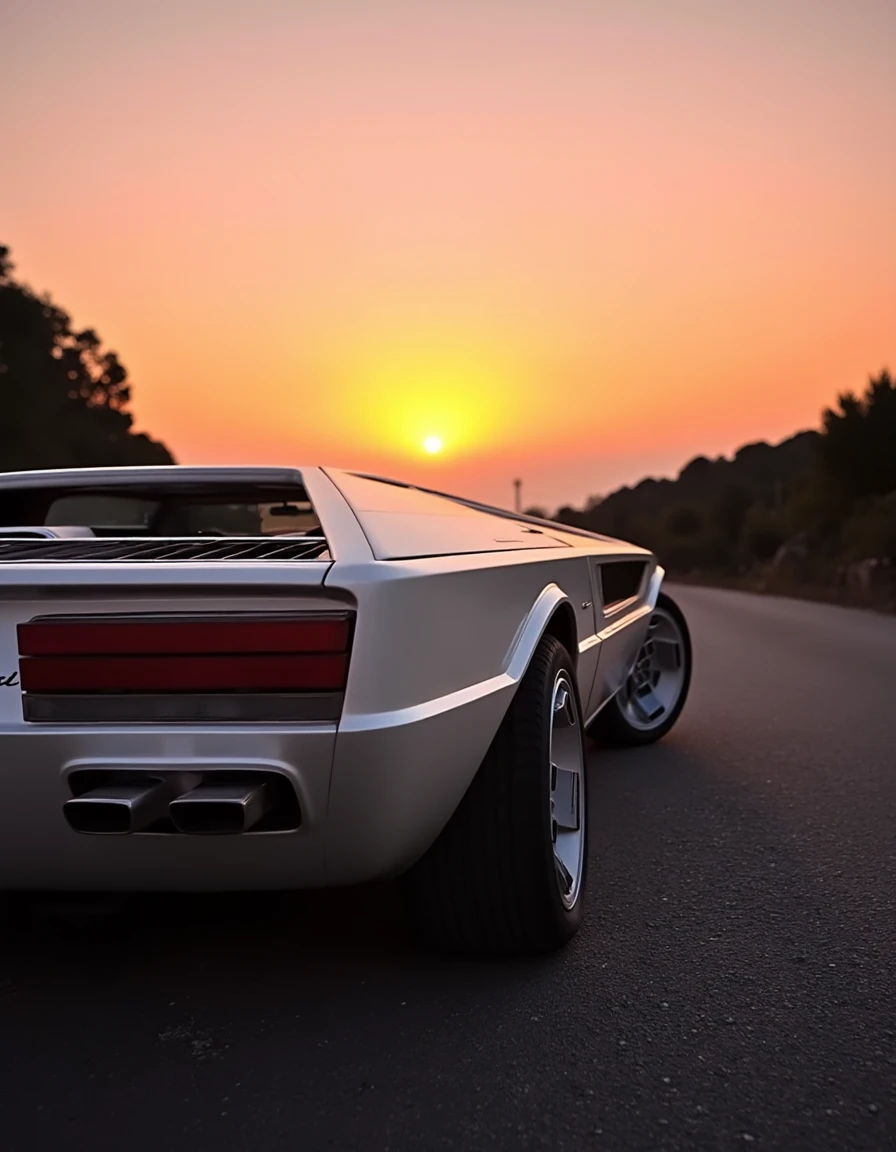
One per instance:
(64, 400)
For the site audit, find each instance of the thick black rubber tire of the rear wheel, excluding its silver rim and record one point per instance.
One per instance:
(489, 885)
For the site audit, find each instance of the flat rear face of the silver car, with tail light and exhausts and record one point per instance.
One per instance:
(149, 708)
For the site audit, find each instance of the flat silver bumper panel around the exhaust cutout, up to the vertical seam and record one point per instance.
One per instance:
(40, 851)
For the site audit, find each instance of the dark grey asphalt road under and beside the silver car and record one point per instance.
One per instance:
(735, 984)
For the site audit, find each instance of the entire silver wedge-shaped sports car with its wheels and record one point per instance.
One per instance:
(267, 678)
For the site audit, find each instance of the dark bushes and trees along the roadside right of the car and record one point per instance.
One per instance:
(813, 517)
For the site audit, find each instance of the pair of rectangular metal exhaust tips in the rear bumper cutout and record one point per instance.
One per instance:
(194, 808)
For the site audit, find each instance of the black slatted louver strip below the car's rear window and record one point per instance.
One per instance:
(135, 551)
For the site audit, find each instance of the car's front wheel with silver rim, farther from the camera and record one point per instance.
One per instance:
(654, 696)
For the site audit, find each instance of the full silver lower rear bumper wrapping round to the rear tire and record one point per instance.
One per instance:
(374, 797)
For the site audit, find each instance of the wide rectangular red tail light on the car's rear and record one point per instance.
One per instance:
(206, 657)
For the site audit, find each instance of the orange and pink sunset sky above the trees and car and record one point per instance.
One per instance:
(580, 242)
